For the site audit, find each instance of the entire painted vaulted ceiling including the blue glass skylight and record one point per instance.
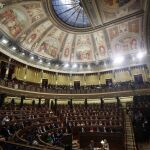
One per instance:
(77, 31)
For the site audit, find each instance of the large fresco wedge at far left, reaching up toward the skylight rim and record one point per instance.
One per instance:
(19, 17)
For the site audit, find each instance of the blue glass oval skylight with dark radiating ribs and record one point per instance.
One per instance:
(71, 12)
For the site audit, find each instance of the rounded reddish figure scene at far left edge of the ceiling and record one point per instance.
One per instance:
(13, 21)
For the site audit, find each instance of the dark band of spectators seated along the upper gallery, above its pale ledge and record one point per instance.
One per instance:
(62, 89)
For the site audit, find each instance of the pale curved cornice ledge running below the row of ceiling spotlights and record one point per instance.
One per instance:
(34, 64)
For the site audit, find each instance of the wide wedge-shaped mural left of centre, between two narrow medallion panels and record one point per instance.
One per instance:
(50, 44)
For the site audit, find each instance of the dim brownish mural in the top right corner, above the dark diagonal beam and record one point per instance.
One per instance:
(113, 9)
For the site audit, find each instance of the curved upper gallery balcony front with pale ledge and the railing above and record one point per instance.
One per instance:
(9, 87)
